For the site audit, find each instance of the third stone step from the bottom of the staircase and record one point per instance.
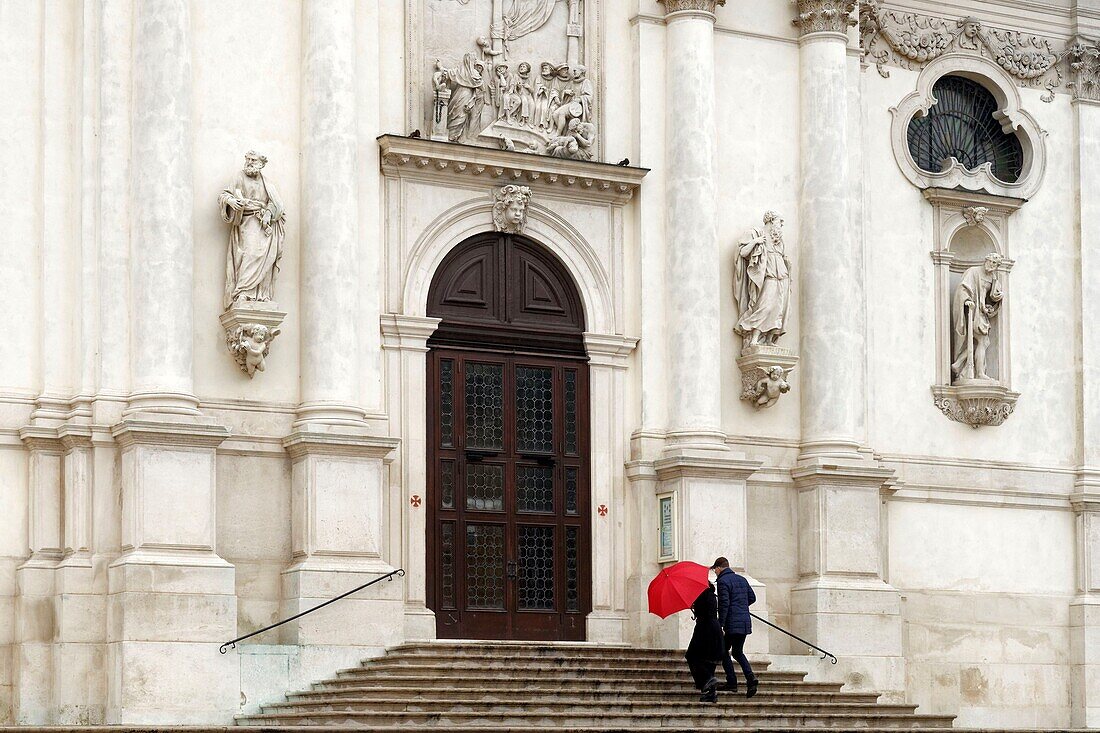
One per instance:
(471, 692)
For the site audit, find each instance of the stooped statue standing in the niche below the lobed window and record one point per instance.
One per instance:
(974, 308)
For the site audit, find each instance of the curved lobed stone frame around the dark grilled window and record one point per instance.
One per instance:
(1011, 116)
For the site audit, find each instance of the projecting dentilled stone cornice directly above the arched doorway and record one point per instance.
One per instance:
(448, 162)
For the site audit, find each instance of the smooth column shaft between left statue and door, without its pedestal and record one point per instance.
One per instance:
(331, 224)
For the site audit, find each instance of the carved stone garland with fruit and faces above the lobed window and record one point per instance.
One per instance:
(912, 40)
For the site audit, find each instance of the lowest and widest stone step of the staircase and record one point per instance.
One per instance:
(705, 717)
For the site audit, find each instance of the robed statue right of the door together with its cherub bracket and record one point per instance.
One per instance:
(763, 292)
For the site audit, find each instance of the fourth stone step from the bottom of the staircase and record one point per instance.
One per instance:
(508, 683)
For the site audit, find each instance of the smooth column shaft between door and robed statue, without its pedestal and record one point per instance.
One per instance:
(691, 223)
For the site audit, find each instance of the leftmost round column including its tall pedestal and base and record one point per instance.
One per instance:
(171, 599)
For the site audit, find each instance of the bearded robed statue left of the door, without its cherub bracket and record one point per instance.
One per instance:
(255, 212)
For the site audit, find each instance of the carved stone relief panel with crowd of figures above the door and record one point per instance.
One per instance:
(516, 85)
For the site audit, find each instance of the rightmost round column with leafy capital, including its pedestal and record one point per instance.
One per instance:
(842, 601)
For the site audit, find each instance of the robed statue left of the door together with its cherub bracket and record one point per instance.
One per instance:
(252, 209)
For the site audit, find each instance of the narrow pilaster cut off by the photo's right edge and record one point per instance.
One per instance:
(1085, 609)
